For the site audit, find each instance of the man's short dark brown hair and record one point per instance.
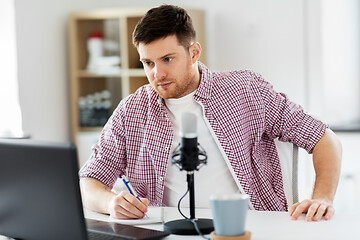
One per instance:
(164, 21)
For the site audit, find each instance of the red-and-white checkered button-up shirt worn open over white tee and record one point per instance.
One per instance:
(245, 113)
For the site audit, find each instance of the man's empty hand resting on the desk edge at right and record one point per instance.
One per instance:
(315, 209)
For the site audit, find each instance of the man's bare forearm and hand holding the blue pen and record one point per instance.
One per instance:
(98, 197)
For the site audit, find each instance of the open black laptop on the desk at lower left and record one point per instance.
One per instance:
(40, 196)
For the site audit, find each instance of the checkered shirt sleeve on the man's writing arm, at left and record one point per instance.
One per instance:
(108, 159)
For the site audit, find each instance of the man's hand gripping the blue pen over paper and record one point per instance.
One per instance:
(125, 206)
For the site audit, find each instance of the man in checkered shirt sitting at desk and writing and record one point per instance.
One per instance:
(239, 116)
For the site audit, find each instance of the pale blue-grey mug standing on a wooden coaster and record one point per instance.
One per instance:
(229, 213)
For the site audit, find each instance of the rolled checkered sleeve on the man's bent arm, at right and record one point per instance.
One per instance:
(287, 120)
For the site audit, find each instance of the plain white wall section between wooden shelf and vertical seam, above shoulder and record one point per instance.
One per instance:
(265, 36)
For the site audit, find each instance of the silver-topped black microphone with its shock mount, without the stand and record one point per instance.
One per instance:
(189, 155)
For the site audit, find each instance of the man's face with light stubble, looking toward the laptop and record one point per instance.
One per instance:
(170, 68)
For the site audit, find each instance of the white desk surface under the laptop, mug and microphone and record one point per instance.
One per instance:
(272, 225)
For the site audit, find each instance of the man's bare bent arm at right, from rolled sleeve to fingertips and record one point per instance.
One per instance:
(327, 162)
